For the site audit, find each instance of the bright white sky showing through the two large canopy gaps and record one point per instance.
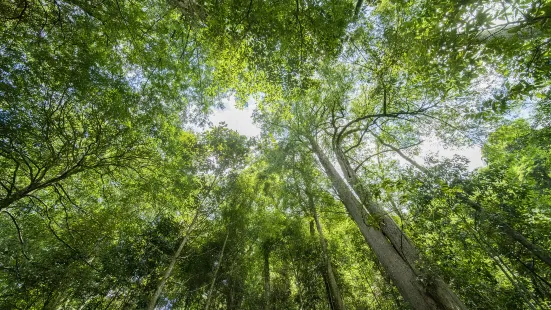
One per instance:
(241, 121)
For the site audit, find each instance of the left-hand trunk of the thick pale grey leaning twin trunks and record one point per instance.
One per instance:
(396, 267)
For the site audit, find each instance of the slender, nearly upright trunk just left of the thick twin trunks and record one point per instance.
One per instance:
(335, 298)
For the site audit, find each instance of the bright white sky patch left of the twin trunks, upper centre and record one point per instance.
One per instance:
(239, 120)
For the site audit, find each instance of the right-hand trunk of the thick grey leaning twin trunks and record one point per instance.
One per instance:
(437, 288)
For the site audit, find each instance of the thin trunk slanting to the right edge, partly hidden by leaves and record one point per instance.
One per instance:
(500, 224)
